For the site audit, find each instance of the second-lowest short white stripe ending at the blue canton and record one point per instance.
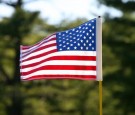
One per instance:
(37, 47)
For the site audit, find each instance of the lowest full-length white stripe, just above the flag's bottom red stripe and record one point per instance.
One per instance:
(60, 72)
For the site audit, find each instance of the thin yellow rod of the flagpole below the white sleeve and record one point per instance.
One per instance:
(100, 98)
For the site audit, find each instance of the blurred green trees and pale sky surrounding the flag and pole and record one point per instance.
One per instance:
(28, 21)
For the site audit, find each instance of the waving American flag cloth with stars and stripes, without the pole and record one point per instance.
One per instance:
(69, 54)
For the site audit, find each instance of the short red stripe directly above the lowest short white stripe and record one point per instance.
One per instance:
(41, 48)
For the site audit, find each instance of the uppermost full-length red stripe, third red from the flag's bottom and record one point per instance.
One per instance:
(86, 58)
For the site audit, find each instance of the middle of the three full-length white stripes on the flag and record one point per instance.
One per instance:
(61, 62)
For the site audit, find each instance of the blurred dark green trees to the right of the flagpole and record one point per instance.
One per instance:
(118, 38)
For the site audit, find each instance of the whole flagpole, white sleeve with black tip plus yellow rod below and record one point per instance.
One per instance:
(99, 59)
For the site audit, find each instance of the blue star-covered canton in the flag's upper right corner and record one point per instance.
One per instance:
(81, 38)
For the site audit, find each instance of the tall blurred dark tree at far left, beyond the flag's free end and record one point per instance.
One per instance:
(12, 31)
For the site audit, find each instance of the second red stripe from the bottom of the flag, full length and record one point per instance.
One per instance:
(59, 67)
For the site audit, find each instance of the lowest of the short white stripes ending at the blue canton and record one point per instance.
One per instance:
(38, 52)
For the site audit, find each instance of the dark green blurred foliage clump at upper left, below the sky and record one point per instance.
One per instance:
(19, 24)
